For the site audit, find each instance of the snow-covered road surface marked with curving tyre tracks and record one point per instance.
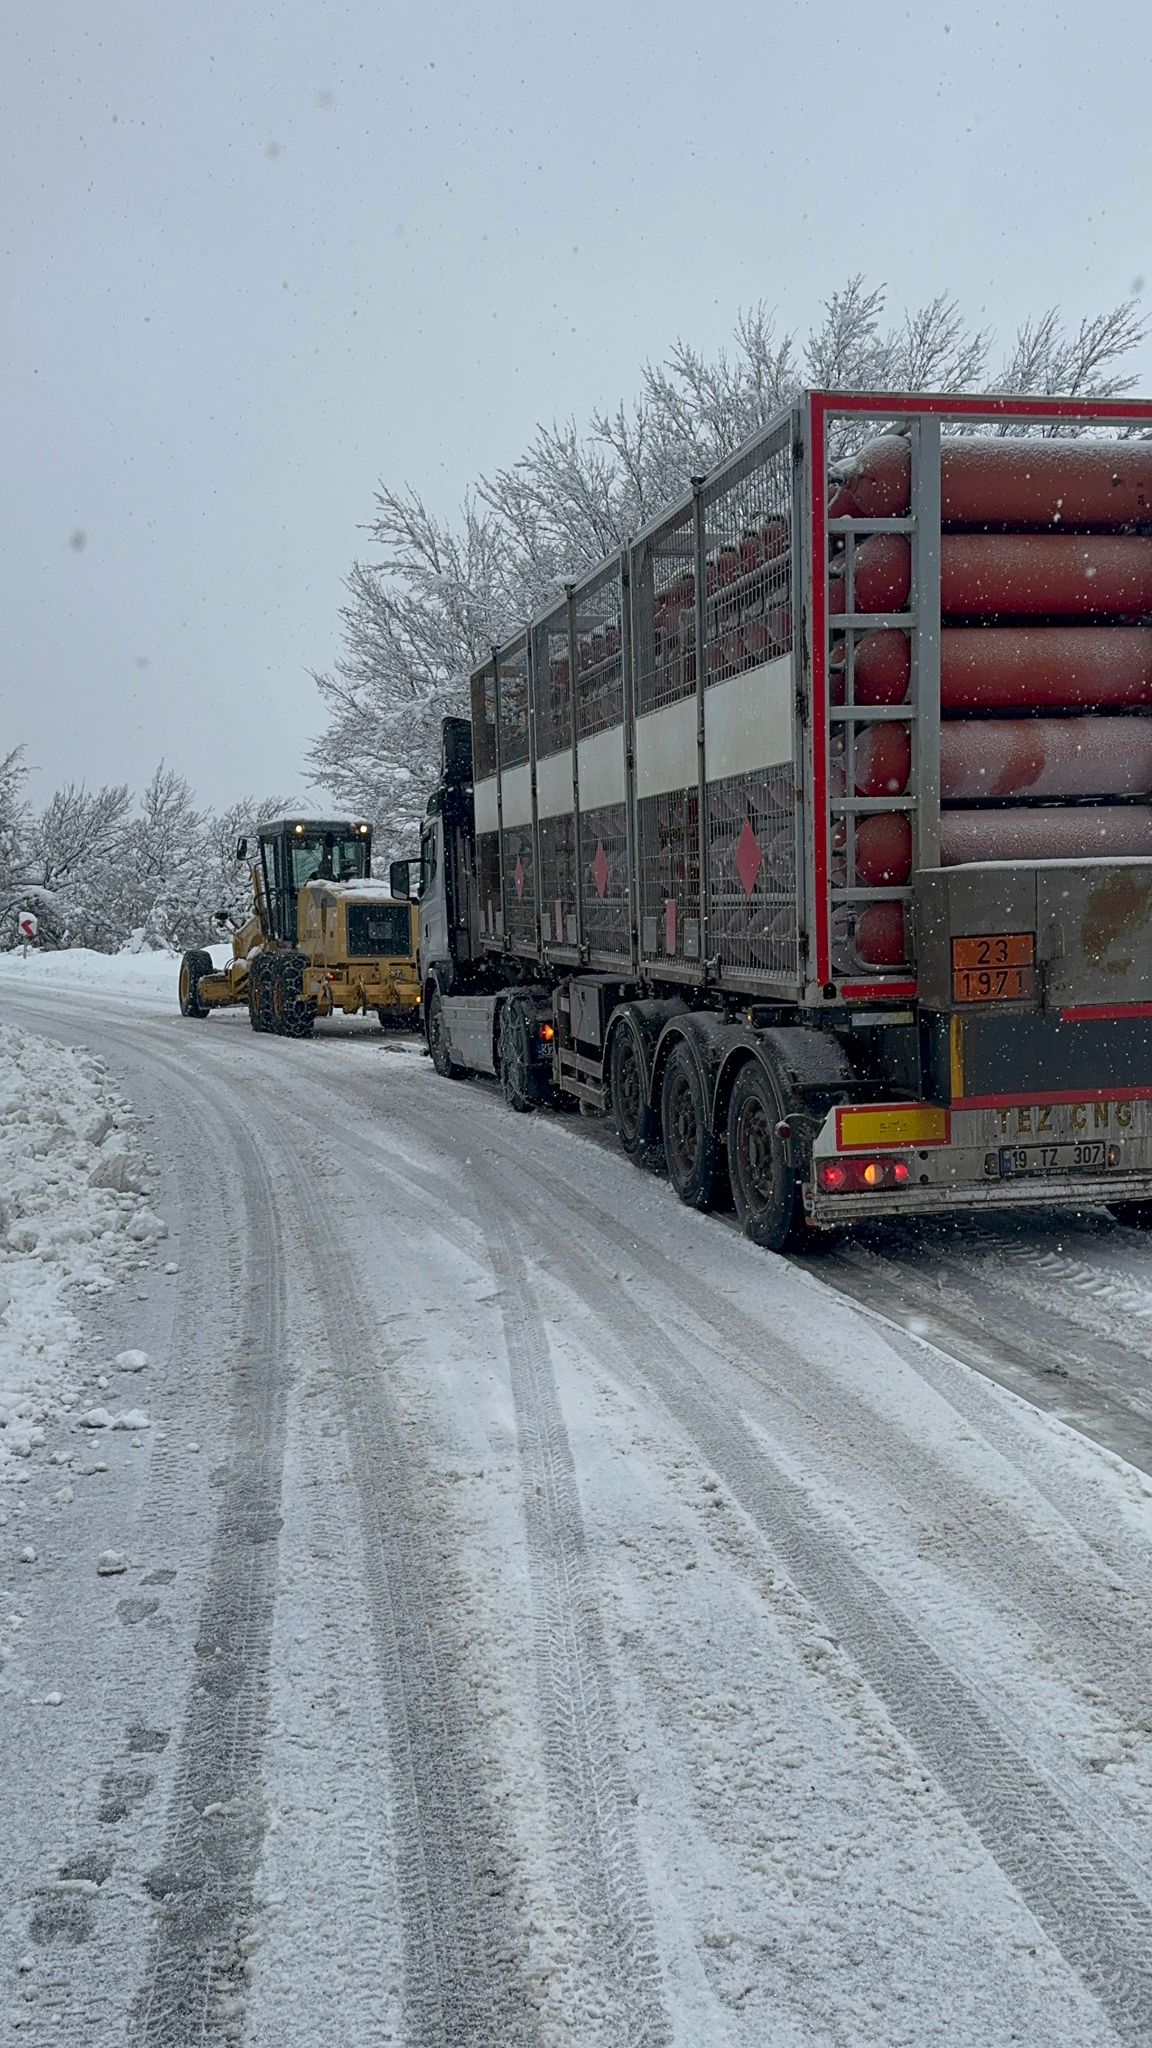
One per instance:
(548, 1619)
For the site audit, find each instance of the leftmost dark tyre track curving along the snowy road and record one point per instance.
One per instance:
(192, 1983)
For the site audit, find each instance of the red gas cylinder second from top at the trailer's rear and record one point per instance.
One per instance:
(1010, 574)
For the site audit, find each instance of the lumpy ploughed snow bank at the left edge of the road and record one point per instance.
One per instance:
(73, 1218)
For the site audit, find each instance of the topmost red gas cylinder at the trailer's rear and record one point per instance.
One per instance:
(1007, 482)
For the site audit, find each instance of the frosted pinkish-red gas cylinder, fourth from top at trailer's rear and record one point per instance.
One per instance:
(1044, 759)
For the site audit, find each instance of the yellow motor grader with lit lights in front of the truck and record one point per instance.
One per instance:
(323, 937)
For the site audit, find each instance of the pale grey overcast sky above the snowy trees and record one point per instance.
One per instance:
(259, 257)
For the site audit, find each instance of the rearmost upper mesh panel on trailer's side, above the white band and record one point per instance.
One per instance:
(747, 523)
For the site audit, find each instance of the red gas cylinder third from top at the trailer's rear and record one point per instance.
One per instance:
(1014, 669)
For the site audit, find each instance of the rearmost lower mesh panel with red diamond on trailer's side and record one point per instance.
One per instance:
(751, 837)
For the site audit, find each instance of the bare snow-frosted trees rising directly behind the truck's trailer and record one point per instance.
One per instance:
(438, 593)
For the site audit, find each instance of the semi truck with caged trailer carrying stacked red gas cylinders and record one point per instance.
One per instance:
(811, 835)
